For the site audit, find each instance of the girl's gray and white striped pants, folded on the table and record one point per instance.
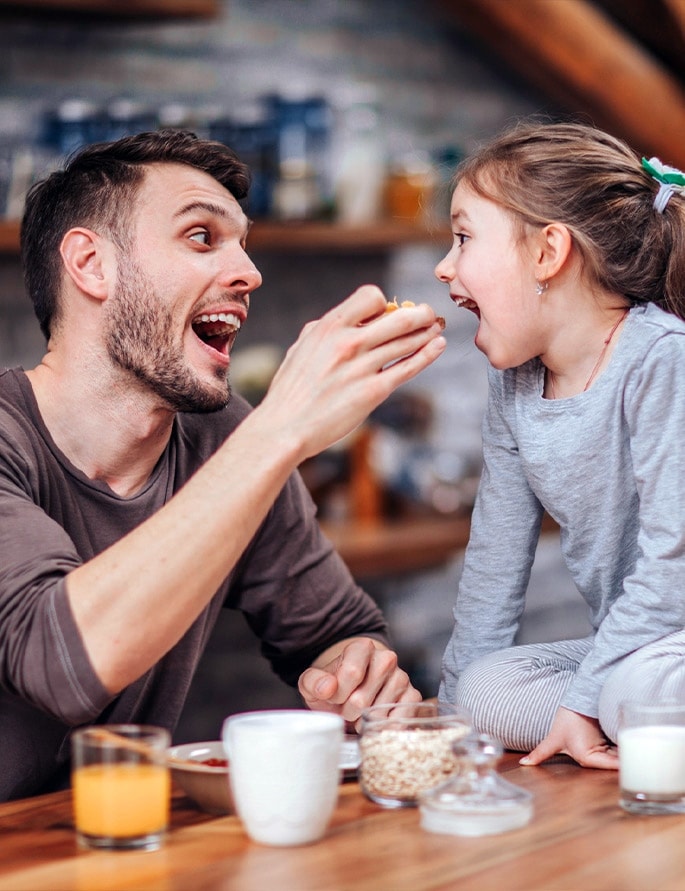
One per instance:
(513, 694)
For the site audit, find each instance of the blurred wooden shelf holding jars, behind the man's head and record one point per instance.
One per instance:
(305, 237)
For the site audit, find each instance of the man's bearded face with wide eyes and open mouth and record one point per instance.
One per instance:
(182, 290)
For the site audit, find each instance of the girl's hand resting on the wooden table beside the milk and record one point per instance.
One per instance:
(579, 737)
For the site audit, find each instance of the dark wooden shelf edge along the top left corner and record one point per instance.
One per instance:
(118, 8)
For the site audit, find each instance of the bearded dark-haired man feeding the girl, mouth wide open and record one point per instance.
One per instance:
(136, 496)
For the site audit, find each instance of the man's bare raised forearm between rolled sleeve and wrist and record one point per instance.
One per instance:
(136, 599)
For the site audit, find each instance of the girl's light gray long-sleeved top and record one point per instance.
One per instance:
(609, 466)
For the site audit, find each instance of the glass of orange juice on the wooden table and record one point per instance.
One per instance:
(121, 786)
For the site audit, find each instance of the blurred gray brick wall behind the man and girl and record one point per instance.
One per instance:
(433, 91)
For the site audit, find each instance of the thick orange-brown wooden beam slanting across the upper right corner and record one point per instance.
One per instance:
(572, 51)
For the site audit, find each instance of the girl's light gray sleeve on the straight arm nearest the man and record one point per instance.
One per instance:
(505, 528)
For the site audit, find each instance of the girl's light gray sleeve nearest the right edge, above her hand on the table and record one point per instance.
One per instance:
(651, 603)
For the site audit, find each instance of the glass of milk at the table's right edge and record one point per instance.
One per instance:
(651, 752)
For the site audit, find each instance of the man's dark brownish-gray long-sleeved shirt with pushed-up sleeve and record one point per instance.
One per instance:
(295, 592)
